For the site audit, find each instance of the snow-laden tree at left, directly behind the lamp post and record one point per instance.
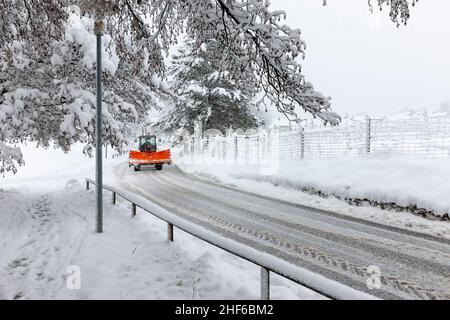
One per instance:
(51, 97)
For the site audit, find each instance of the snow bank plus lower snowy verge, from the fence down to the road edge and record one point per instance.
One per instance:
(387, 178)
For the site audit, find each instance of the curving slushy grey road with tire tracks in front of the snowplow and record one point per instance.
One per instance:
(413, 266)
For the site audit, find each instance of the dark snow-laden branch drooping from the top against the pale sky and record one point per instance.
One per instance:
(258, 41)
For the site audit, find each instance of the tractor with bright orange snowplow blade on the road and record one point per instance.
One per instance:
(147, 155)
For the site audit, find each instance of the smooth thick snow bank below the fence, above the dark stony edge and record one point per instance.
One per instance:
(415, 184)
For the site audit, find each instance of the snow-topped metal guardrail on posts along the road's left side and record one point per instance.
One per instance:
(268, 263)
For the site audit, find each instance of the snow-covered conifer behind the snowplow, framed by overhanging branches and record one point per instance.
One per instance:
(206, 93)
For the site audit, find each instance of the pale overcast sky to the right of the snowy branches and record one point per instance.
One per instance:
(365, 63)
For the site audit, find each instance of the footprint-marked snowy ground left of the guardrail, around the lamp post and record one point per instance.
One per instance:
(47, 225)
